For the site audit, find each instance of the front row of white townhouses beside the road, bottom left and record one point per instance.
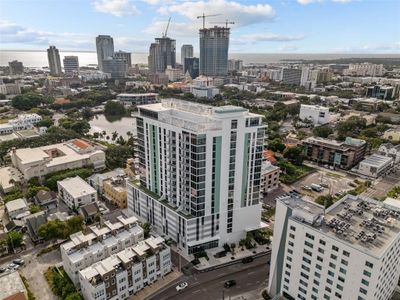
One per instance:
(126, 272)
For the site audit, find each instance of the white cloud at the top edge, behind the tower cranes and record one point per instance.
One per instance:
(241, 14)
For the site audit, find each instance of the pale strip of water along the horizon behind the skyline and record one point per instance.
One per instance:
(39, 58)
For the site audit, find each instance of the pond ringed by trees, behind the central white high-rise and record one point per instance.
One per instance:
(101, 123)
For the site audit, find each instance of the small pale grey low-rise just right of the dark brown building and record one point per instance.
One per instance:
(374, 166)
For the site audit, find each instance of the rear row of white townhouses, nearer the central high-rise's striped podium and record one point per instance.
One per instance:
(101, 242)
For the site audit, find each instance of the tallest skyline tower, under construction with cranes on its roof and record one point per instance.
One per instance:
(214, 45)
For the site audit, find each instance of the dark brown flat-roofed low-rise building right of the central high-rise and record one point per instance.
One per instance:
(343, 155)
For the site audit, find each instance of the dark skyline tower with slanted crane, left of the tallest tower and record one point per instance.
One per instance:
(162, 54)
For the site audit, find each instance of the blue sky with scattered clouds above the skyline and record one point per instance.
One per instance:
(292, 26)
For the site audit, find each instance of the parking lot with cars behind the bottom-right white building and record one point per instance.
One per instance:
(332, 182)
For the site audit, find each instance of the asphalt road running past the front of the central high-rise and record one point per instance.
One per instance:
(250, 278)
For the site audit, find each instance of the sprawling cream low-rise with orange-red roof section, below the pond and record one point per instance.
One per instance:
(37, 162)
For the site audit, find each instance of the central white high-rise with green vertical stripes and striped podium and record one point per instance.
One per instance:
(199, 169)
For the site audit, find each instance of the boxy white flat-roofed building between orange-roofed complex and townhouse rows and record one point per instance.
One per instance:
(76, 192)
